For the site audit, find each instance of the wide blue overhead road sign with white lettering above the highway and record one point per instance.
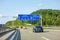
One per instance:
(29, 17)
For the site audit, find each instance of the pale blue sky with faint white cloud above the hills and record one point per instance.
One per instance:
(10, 8)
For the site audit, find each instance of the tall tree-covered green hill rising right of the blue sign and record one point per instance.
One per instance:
(49, 16)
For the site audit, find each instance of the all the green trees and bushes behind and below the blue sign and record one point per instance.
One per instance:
(50, 17)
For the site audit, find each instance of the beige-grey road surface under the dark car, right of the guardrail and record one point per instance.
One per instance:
(48, 34)
